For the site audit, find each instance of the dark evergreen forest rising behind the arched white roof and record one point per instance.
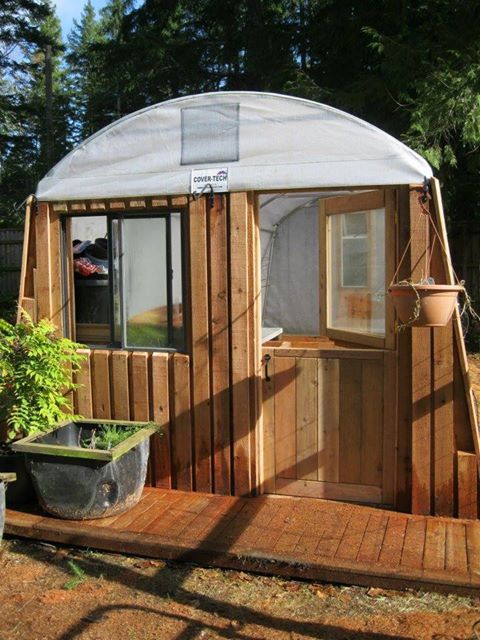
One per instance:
(411, 67)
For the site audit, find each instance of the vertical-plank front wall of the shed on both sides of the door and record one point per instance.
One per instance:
(209, 399)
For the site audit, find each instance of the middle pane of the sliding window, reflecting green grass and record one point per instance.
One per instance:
(144, 266)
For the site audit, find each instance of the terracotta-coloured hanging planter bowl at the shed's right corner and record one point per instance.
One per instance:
(424, 305)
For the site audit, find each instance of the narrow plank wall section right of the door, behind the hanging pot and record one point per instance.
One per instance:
(436, 418)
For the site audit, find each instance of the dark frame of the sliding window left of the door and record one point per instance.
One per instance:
(68, 288)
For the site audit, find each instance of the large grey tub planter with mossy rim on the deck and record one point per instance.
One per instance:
(80, 483)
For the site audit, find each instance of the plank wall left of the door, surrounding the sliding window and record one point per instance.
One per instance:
(208, 398)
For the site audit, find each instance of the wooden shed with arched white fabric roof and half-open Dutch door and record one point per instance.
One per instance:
(225, 257)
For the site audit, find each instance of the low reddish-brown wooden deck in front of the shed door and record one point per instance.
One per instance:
(297, 537)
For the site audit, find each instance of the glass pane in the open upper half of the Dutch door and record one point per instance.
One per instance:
(357, 272)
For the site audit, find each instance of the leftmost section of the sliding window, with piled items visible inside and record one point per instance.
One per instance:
(91, 279)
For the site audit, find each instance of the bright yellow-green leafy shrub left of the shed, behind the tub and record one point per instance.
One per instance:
(35, 376)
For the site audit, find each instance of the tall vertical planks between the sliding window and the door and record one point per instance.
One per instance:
(225, 298)
